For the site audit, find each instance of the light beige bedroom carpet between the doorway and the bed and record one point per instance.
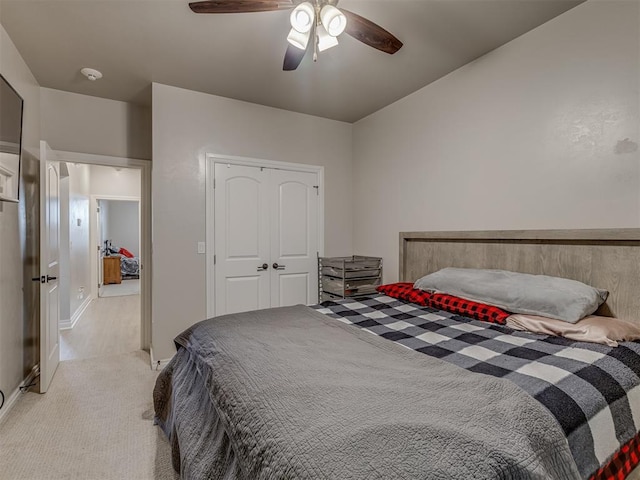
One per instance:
(96, 422)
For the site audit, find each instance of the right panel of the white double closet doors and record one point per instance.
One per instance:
(294, 238)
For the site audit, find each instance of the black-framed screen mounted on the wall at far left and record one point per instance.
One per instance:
(10, 141)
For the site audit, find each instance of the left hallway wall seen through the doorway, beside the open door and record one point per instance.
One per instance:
(79, 228)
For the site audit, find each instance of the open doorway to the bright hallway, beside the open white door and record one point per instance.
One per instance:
(101, 207)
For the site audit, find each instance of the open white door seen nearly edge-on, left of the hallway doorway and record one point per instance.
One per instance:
(49, 265)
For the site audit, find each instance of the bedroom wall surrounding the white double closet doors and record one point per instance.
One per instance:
(186, 126)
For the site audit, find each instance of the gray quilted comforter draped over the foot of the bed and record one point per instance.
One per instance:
(289, 393)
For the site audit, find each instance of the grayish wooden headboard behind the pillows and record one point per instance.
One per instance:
(608, 258)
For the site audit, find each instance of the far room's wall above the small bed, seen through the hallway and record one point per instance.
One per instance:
(123, 224)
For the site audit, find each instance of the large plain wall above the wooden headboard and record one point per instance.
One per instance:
(540, 133)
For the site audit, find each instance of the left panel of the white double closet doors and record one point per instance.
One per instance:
(241, 238)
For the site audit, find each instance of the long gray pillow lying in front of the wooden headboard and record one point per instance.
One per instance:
(553, 297)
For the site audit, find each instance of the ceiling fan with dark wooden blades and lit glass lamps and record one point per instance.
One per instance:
(315, 25)
